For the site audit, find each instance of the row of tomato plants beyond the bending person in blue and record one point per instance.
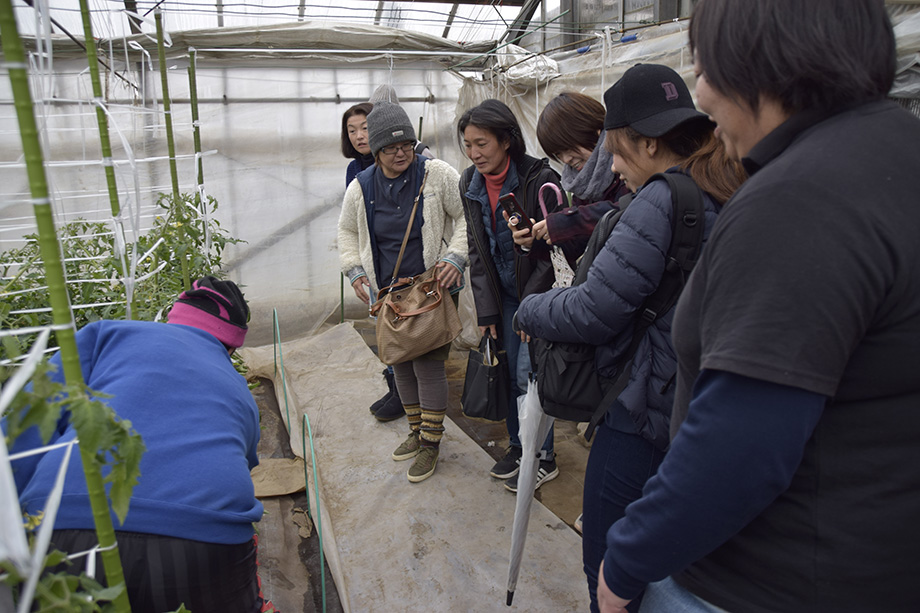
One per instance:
(180, 232)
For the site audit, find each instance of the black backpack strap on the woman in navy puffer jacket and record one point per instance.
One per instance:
(687, 225)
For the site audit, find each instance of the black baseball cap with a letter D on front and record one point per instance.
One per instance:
(651, 99)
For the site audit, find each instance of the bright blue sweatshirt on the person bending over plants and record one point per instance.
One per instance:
(199, 422)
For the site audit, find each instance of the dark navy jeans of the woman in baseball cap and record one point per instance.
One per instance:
(619, 465)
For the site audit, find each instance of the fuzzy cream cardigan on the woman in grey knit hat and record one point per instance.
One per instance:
(443, 233)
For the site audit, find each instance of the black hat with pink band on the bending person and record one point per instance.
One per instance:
(215, 306)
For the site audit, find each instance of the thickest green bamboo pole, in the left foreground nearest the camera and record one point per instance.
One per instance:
(57, 288)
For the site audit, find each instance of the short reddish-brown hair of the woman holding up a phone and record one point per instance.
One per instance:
(570, 120)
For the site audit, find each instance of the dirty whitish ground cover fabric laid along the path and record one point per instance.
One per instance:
(439, 545)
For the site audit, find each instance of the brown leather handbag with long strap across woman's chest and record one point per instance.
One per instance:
(414, 315)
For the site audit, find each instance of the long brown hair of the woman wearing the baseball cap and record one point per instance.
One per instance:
(702, 155)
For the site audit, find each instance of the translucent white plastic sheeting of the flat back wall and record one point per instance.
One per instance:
(272, 134)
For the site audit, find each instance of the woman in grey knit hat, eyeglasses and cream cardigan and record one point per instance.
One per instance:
(376, 212)
